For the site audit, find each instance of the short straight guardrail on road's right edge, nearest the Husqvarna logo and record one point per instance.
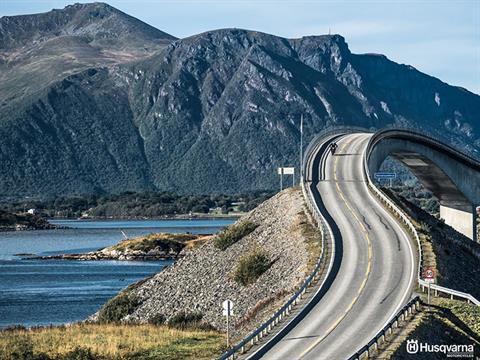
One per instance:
(380, 338)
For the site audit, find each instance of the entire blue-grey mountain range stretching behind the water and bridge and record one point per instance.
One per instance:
(215, 112)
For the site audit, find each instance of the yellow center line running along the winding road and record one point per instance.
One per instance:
(369, 265)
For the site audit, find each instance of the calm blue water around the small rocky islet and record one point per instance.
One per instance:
(34, 292)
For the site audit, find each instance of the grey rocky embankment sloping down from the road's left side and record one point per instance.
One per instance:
(205, 276)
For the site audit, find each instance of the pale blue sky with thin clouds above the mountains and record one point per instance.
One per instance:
(438, 37)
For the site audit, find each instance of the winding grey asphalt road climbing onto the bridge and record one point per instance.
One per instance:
(376, 271)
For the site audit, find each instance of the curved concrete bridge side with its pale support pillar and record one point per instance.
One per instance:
(452, 176)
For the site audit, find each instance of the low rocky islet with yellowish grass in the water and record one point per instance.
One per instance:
(159, 246)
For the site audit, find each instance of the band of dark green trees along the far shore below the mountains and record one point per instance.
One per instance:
(137, 205)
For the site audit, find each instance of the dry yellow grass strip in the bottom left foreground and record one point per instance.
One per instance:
(106, 341)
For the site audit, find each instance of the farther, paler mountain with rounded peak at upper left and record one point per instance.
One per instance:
(39, 50)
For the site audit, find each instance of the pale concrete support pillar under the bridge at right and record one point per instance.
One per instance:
(462, 218)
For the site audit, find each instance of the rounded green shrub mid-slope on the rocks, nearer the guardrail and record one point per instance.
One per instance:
(251, 266)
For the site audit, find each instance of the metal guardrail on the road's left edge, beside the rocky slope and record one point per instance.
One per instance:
(265, 328)
